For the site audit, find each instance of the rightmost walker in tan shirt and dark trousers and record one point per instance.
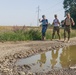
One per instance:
(67, 26)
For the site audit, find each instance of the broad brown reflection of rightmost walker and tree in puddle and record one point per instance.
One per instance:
(68, 56)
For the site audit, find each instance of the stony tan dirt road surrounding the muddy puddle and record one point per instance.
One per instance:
(10, 52)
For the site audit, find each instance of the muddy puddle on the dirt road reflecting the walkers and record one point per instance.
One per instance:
(54, 59)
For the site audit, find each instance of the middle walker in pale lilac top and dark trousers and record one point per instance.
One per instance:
(56, 27)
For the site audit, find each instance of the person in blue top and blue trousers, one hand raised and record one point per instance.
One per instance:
(44, 22)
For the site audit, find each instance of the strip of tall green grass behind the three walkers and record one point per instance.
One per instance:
(23, 34)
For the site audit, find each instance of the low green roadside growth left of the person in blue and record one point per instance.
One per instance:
(21, 36)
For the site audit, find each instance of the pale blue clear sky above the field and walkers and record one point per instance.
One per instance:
(24, 12)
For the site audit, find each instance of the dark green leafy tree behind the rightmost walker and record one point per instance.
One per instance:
(70, 6)
